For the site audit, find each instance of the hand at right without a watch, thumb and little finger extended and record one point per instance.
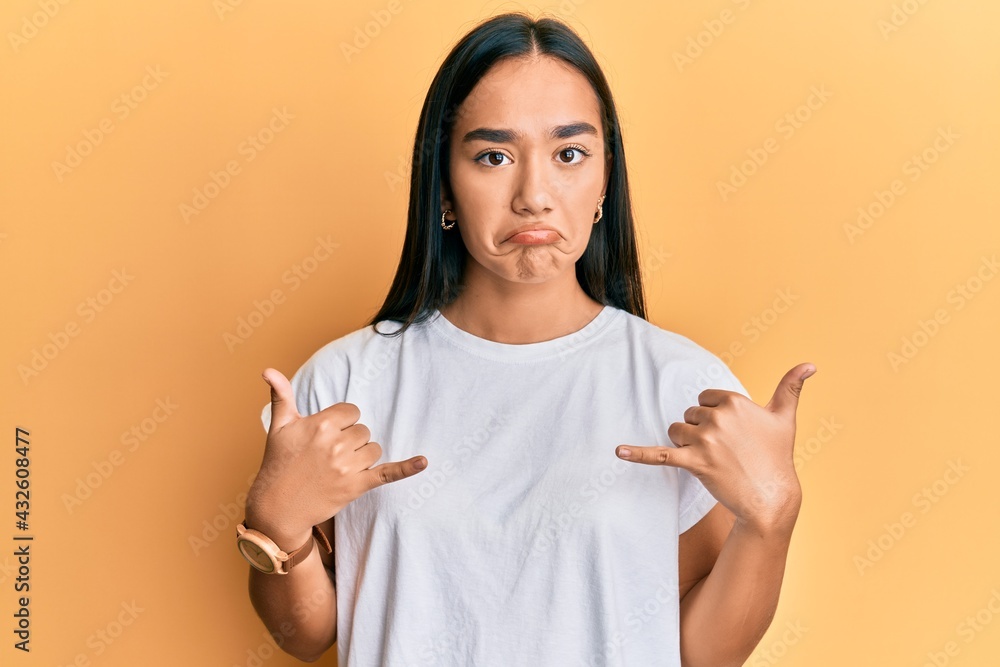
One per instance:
(741, 452)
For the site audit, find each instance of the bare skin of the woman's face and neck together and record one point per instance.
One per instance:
(525, 293)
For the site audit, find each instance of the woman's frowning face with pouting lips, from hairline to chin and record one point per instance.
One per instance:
(526, 148)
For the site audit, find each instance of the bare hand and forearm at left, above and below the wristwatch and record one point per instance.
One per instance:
(312, 468)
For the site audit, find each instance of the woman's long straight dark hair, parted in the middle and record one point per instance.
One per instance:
(432, 260)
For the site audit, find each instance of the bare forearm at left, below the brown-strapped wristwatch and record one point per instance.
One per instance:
(298, 608)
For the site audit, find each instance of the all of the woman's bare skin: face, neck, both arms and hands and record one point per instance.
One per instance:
(730, 563)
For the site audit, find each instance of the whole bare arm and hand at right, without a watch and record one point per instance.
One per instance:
(732, 562)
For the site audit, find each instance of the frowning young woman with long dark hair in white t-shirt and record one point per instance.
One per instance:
(511, 383)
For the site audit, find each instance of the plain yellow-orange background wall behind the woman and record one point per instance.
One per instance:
(895, 74)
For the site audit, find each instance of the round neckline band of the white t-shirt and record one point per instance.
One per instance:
(515, 352)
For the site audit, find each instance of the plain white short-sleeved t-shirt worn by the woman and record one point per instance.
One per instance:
(525, 541)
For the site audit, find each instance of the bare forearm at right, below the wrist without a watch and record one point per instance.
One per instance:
(725, 615)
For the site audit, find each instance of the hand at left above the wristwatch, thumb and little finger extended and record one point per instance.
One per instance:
(314, 466)
